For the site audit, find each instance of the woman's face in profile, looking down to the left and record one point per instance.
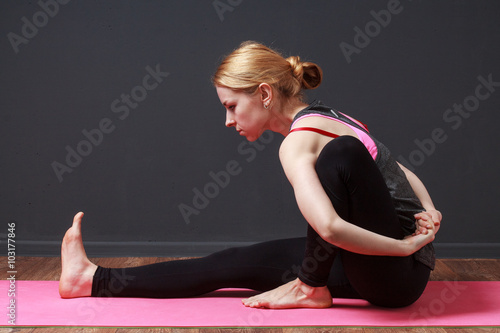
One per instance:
(244, 112)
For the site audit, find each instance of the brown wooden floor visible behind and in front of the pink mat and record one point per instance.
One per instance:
(37, 268)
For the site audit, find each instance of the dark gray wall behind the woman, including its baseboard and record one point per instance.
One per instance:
(71, 70)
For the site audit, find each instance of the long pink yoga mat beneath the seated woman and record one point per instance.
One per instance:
(453, 303)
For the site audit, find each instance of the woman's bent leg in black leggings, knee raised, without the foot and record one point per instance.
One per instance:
(359, 194)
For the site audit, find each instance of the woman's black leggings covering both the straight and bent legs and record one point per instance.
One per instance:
(358, 193)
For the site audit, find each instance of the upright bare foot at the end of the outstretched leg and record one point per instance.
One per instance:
(77, 270)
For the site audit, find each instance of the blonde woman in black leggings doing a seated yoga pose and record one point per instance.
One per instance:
(371, 221)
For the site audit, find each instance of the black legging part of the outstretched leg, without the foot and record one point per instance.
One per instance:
(262, 267)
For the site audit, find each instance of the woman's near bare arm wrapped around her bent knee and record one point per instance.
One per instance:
(319, 212)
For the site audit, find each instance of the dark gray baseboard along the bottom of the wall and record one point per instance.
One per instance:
(196, 249)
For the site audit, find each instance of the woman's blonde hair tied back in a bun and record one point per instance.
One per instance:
(253, 63)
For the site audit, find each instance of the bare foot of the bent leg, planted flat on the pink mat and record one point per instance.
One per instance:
(294, 294)
